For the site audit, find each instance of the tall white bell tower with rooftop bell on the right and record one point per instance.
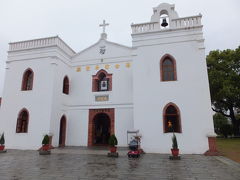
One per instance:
(170, 68)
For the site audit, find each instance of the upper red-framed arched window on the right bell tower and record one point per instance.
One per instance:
(168, 68)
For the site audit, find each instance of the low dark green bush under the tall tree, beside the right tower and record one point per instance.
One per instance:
(221, 125)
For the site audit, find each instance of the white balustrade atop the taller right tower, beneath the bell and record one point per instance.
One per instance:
(186, 22)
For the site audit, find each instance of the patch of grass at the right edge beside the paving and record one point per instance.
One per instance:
(229, 148)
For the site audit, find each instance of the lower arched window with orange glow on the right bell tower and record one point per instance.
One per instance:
(171, 119)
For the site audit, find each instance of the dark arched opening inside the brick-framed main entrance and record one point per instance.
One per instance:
(101, 129)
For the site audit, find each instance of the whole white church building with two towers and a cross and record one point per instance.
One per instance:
(80, 99)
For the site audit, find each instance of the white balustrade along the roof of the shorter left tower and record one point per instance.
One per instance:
(39, 43)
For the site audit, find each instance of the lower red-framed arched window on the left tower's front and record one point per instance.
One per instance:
(22, 121)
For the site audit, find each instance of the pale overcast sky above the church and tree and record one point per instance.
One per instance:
(77, 21)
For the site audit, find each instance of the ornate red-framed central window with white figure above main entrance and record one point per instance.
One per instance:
(102, 81)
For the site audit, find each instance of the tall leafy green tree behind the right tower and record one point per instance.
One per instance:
(224, 80)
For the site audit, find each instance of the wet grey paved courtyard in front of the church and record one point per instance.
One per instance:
(76, 164)
